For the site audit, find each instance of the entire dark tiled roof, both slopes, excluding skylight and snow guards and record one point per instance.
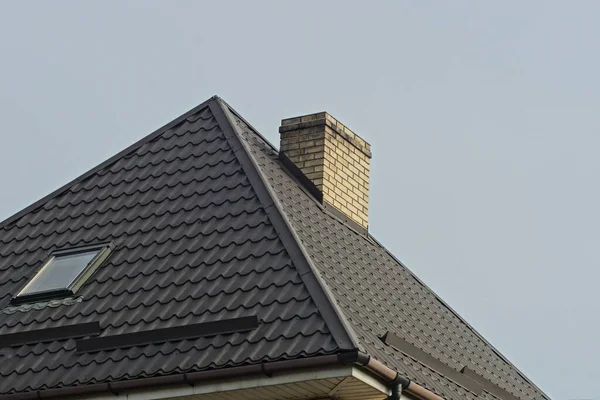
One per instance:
(209, 225)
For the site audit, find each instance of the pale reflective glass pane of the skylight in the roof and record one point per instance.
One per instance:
(62, 271)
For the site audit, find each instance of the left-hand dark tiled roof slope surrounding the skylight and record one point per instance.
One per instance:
(194, 243)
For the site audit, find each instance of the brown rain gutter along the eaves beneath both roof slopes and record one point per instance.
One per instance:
(398, 382)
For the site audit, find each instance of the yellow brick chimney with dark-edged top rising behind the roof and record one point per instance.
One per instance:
(335, 159)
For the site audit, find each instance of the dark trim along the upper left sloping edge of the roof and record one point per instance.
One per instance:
(105, 163)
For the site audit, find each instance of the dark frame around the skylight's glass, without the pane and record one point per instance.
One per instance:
(103, 251)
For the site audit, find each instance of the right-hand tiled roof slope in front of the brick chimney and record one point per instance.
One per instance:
(378, 294)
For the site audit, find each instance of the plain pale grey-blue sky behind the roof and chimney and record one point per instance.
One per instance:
(483, 119)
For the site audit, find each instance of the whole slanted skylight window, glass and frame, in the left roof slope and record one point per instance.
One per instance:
(63, 273)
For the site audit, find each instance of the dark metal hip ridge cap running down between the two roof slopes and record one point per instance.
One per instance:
(320, 293)
